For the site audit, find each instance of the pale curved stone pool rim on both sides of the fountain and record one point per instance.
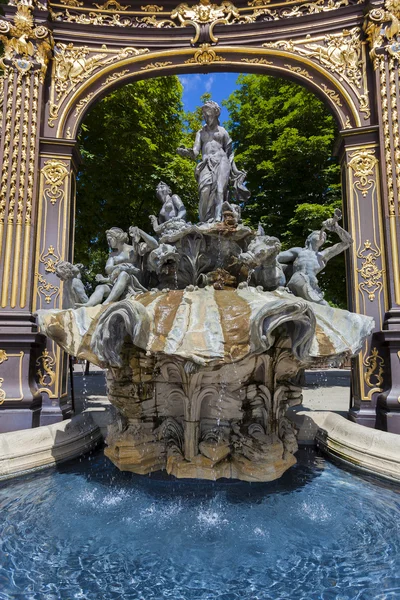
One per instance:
(368, 450)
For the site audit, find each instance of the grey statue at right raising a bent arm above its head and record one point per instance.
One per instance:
(304, 264)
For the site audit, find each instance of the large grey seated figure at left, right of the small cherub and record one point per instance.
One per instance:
(123, 269)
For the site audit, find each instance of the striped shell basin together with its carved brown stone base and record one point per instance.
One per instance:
(202, 378)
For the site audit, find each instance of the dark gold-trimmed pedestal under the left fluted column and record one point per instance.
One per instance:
(20, 347)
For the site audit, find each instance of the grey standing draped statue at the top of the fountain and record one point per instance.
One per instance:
(217, 168)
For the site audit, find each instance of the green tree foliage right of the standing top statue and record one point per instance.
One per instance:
(283, 137)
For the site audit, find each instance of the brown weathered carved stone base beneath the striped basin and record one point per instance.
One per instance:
(204, 422)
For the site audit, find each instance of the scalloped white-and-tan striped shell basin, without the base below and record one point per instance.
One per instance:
(207, 326)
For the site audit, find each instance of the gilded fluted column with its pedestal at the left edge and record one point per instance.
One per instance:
(27, 49)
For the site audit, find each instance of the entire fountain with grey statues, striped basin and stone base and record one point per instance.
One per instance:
(204, 329)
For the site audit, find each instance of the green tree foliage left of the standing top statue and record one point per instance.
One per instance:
(128, 144)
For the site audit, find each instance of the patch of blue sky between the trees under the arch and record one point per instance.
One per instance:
(219, 85)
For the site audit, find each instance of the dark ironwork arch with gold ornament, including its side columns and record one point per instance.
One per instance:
(63, 56)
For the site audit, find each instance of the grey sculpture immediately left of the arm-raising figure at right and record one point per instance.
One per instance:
(261, 259)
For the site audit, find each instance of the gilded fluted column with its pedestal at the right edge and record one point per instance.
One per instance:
(381, 29)
